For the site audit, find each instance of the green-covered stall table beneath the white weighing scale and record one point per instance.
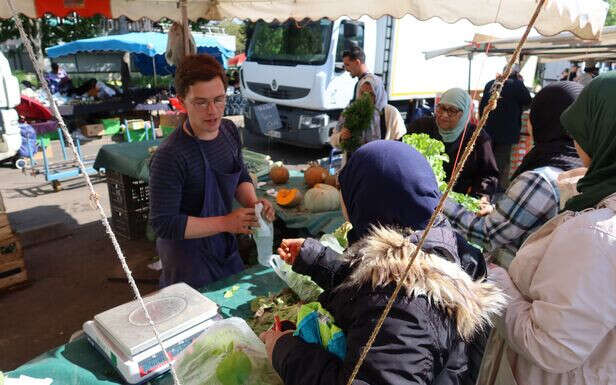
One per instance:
(78, 363)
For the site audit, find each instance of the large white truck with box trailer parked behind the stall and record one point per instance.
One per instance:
(296, 85)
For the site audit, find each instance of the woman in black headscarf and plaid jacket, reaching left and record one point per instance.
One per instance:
(533, 196)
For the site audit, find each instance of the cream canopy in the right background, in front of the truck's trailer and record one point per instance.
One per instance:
(564, 46)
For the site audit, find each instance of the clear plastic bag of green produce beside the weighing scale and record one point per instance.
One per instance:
(227, 353)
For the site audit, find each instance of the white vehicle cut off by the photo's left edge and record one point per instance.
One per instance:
(10, 97)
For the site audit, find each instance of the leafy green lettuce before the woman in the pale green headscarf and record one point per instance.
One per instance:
(434, 151)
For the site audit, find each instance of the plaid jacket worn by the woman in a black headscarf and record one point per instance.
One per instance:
(531, 200)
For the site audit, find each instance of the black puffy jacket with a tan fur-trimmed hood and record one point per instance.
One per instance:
(422, 340)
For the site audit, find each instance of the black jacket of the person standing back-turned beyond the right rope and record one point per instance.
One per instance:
(505, 122)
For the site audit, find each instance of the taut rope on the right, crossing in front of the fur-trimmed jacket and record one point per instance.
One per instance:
(496, 90)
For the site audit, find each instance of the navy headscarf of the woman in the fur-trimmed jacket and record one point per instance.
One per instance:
(388, 183)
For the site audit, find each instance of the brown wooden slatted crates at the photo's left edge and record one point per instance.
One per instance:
(12, 267)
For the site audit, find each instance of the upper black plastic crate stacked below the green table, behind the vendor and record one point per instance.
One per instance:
(127, 193)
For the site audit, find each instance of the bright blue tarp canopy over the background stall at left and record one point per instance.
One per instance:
(143, 46)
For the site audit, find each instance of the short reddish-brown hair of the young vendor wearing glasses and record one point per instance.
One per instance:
(197, 68)
